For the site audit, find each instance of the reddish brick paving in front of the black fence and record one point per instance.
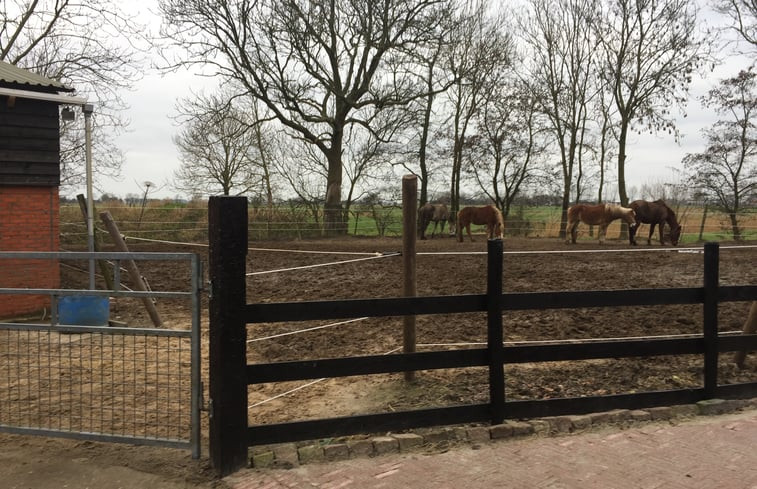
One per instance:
(707, 452)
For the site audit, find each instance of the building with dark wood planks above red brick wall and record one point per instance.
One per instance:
(29, 181)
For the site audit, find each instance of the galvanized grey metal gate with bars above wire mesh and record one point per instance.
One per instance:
(138, 385)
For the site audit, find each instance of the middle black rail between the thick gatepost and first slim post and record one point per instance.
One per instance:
(364, 365)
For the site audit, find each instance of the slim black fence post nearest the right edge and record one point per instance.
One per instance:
(710, 318)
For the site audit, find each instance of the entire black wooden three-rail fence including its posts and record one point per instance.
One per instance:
(229, 316)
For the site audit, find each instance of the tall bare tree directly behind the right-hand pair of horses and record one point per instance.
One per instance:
(651, 50)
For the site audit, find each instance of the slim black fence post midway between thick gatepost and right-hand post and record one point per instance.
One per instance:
(495, 334)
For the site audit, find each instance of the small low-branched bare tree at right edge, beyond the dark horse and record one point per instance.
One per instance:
(726, 170)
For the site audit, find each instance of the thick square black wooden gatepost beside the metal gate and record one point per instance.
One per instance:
(227, 234)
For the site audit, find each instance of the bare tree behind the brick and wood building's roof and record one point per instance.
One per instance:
(91, 46)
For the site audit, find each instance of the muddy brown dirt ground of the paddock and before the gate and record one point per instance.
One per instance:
(364, 267)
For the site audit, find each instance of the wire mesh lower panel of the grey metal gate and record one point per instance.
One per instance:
(116, 382)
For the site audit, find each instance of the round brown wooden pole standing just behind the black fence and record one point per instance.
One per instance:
(409, 220)
